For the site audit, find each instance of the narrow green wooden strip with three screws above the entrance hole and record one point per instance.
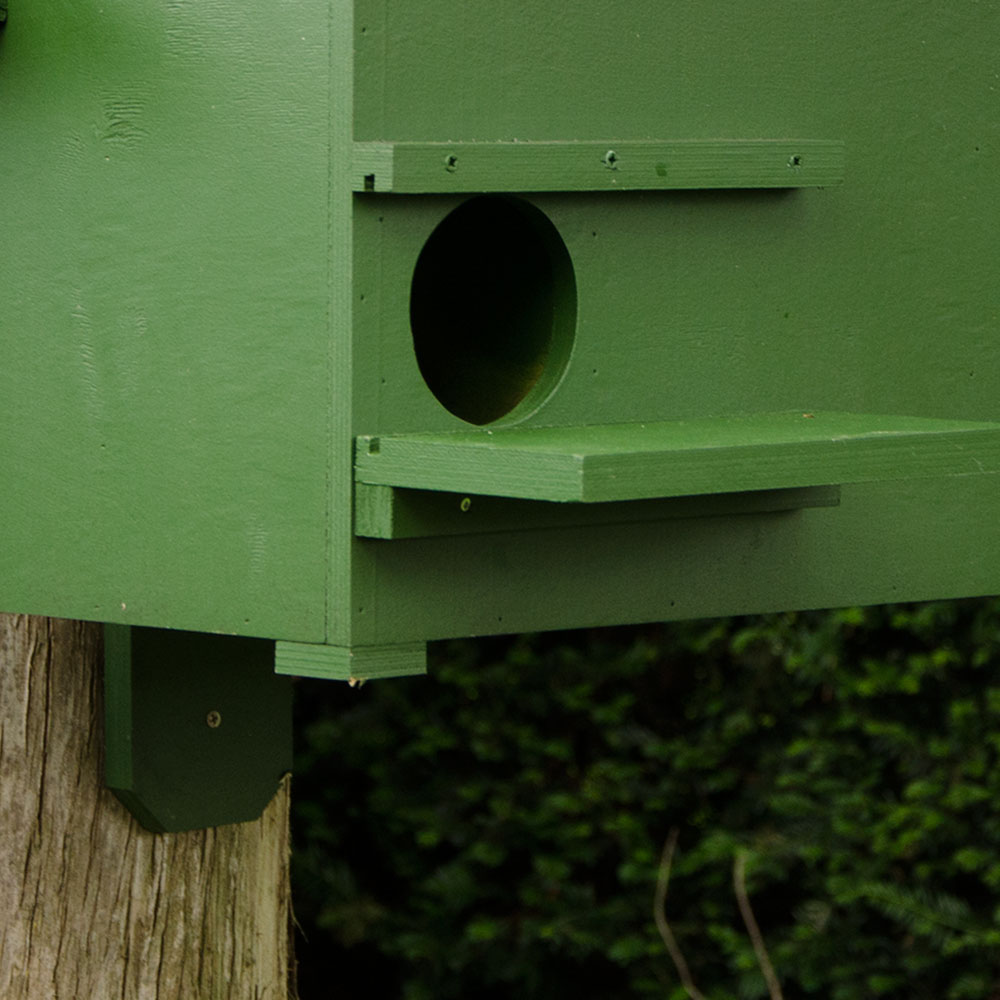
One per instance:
(450, 167)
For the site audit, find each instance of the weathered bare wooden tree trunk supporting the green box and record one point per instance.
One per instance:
(91, 904)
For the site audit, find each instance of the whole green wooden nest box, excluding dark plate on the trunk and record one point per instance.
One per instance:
(358, 324)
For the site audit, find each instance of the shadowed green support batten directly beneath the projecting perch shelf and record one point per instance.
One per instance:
(388, 512)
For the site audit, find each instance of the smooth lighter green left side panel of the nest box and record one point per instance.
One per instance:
(164, 255)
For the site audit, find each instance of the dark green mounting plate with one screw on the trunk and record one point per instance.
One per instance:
(198, 727)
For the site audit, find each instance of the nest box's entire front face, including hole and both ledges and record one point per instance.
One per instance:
(860, 299)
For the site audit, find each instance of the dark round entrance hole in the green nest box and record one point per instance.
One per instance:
(493, 309)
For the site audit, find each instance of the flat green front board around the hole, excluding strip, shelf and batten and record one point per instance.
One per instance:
(875, 296)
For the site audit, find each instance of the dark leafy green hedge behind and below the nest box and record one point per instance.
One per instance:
(495, 830)
